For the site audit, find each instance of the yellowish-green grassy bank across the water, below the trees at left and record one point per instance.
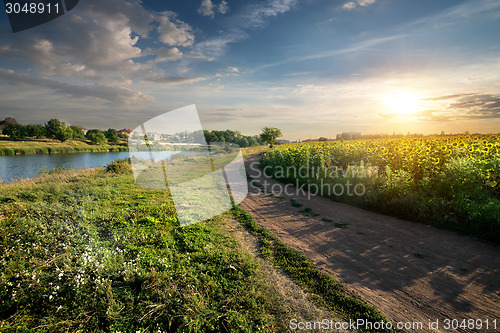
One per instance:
(48, 146)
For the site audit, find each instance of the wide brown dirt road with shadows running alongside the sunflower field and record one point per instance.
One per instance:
(411, 272)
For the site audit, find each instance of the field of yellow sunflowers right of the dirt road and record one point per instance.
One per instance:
(452, 182)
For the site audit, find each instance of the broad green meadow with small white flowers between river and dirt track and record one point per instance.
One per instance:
(91, 252)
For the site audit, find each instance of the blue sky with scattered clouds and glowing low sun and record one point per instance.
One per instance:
(309, 67)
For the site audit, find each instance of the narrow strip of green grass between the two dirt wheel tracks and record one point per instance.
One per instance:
(300, 269)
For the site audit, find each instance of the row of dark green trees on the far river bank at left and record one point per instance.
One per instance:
(59, 130)
